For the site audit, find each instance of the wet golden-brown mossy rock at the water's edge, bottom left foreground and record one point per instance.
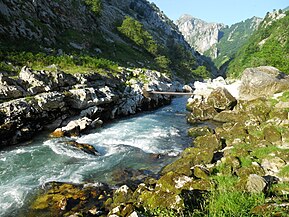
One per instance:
(62, 199)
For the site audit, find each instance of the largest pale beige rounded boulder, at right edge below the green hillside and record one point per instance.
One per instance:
(262, 81)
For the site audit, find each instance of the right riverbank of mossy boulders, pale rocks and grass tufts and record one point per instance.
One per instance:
(237, 168)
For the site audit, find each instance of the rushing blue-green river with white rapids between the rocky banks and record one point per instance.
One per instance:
(127, 143)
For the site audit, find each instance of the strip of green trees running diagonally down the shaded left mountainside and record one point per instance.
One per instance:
(173, 57)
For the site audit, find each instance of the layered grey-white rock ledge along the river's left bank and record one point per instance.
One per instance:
(73, 103)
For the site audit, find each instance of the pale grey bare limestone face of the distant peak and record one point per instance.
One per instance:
(200, 34)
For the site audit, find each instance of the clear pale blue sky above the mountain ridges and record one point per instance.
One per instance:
(219, 11)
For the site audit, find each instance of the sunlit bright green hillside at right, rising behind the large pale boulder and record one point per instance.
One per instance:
(269, 45)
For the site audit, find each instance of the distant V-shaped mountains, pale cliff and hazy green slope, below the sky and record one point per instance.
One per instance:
(218, 41)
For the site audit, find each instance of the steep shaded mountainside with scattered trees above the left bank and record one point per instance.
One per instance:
(91, 27)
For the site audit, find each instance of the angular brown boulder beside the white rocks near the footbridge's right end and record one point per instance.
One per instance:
(221, 99)
